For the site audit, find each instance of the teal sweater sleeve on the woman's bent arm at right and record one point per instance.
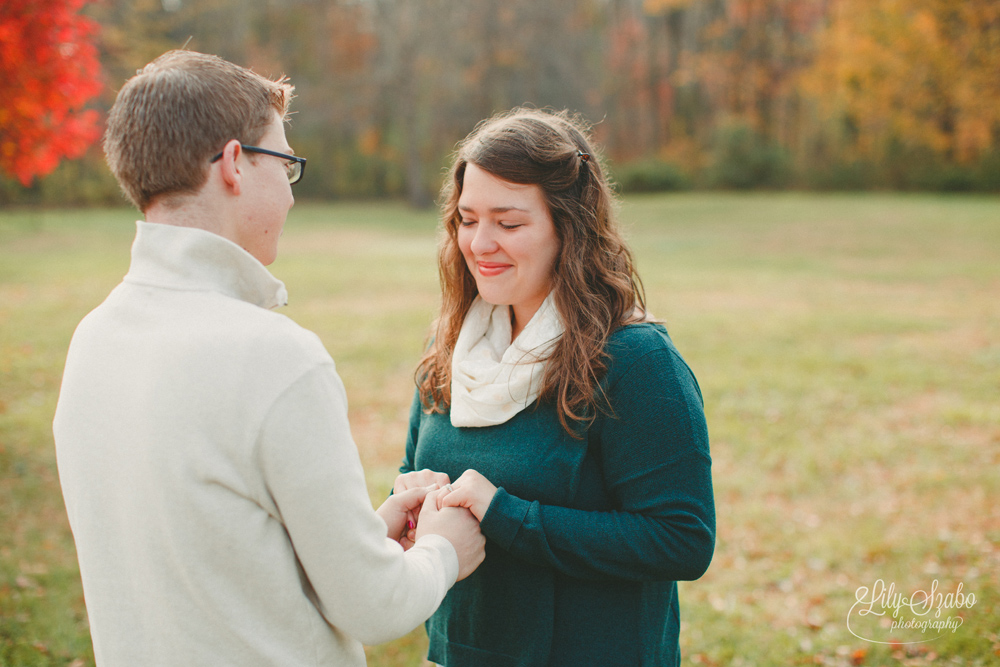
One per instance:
(654, 456)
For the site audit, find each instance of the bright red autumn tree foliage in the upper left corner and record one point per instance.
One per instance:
(49, 70)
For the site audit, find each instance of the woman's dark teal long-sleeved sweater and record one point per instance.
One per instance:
(585, 537)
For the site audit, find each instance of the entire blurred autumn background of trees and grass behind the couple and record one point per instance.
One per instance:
(810, 191)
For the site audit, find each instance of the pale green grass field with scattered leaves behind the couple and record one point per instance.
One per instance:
(848, 348)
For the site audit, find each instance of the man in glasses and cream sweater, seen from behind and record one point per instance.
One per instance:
(215, 494)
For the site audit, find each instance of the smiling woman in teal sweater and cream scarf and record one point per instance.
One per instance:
(571, 426)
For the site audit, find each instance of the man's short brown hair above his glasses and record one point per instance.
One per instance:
(176, 113)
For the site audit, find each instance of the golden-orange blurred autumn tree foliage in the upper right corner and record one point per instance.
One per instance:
(916, 73)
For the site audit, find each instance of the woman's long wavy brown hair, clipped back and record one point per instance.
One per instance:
(596, 286)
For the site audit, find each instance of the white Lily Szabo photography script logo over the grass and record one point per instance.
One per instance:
(884, 615)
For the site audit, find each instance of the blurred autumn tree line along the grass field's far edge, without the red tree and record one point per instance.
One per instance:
(822, 94)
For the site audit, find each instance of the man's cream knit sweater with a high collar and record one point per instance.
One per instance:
(215, 493)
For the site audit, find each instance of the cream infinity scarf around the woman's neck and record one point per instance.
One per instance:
(493, 379)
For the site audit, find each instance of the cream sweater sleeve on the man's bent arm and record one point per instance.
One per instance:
(364, 583)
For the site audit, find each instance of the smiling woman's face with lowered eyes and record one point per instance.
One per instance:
(508, 240)
